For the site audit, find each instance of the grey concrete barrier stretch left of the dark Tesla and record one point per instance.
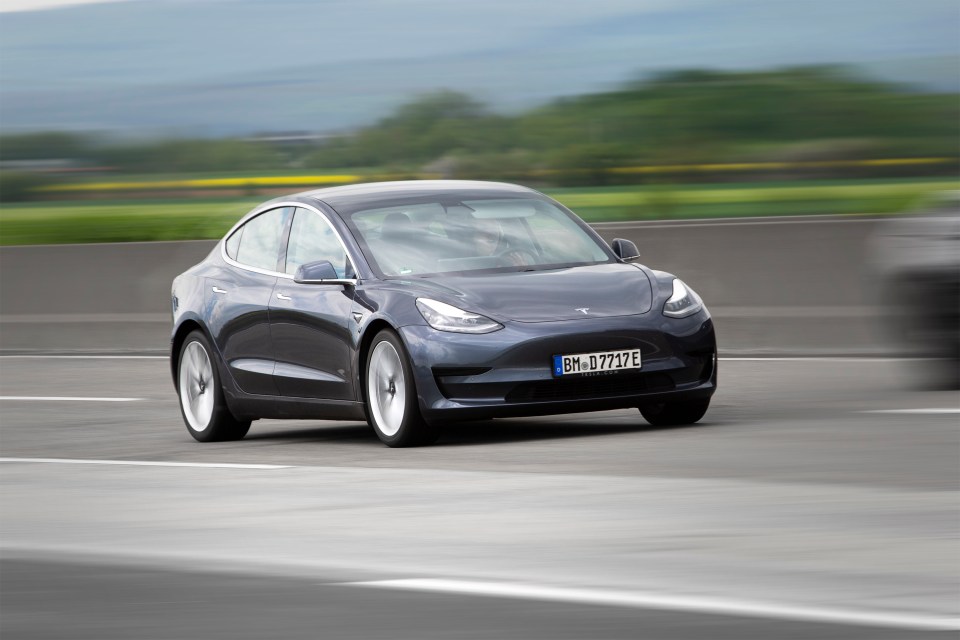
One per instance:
(91, 298)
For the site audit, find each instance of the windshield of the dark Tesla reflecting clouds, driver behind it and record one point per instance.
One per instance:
(472, 235)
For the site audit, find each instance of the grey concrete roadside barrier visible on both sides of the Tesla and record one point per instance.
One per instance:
(793, 286)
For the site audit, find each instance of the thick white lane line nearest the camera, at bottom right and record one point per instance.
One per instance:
(646, 600)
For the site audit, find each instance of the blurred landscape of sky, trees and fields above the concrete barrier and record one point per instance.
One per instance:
(630, 110)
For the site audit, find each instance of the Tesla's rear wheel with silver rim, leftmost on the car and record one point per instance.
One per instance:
(202, 403)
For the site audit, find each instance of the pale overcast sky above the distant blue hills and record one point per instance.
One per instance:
(705, 32)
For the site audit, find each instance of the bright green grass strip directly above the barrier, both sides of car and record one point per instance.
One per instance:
(144, 220)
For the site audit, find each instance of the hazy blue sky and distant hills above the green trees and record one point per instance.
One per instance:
(191, 62)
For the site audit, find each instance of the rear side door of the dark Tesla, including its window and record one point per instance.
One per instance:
(239, 300)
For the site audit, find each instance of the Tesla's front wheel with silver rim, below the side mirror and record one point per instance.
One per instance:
(393, 408)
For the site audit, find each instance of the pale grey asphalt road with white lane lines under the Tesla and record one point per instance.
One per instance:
(818, 498)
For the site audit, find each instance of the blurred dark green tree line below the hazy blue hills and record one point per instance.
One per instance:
(674, 119)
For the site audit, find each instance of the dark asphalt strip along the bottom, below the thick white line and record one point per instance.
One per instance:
(105, 602)
